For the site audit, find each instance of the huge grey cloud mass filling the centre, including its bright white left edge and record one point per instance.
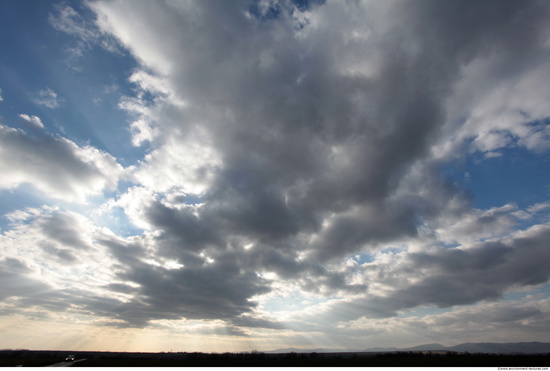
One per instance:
(319, 133)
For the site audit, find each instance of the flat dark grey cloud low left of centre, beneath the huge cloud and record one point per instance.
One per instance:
(214, 292)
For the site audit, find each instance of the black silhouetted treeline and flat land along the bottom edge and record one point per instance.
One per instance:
(261, 359)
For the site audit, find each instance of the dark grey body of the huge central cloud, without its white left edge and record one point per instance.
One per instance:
(302, 142)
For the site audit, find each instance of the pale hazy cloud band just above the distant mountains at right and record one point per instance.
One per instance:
(526, 319)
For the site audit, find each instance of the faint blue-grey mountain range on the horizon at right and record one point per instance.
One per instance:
(528, 347)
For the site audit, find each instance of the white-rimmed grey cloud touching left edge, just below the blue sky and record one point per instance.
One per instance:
(55, 165)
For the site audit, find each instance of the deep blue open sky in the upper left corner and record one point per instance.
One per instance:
(88, 88)
